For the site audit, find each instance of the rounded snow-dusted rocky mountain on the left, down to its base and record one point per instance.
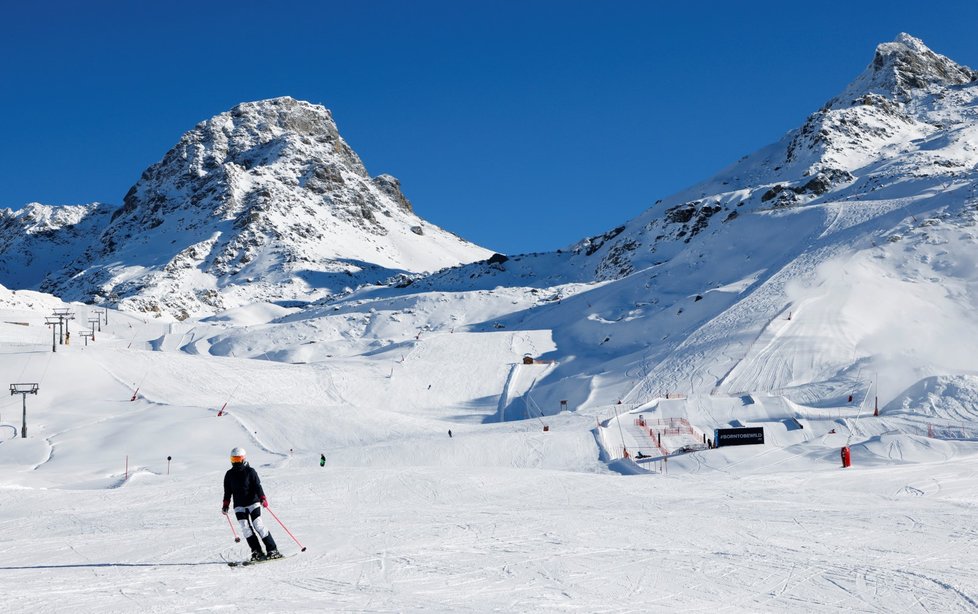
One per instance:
(264, 202)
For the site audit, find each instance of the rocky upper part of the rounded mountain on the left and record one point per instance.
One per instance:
(258, 159)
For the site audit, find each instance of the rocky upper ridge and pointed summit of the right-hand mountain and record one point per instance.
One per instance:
(907, 123)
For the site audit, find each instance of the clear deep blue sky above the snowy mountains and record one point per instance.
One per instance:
(520, 125)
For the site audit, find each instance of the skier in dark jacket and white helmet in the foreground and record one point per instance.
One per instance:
(242, 482)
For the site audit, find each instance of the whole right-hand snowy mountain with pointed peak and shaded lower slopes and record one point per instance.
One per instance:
(678, 298)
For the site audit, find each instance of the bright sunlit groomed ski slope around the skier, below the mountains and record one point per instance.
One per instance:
(530, 505)
